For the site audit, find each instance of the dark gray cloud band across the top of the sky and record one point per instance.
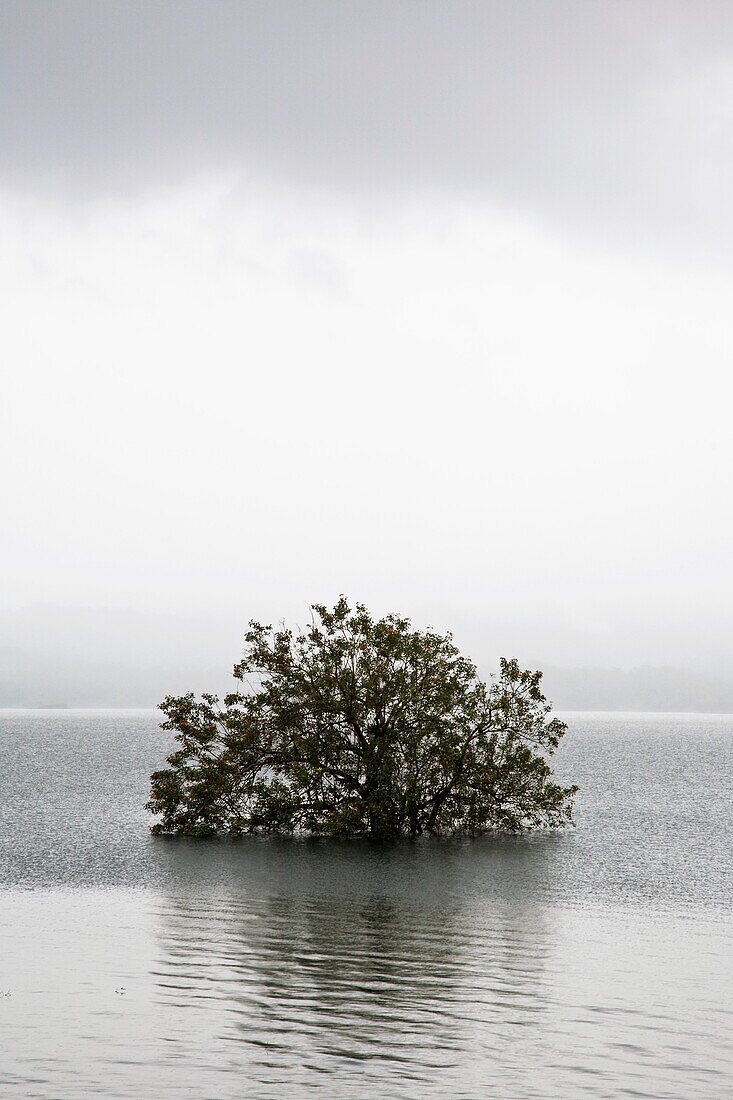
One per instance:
(611, 115)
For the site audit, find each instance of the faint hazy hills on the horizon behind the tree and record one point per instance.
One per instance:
(97, 658)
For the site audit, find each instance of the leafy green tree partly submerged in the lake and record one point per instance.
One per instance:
(362, 728)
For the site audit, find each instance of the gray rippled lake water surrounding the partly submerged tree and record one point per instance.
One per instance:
(597, 963)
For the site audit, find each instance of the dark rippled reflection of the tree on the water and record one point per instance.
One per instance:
(439, 966)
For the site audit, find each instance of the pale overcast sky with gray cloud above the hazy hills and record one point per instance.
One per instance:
(424, 303)
